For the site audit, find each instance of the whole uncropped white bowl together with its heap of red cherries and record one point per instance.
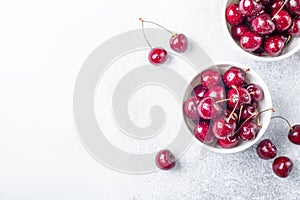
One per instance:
(223, 109)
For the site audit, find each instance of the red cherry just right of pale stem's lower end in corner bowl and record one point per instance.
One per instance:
(282, 20)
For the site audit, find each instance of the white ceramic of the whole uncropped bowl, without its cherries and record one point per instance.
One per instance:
(252, 77)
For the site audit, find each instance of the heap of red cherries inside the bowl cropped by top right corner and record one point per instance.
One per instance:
(264, 27)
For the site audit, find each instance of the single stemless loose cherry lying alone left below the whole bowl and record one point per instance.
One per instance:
(165, 160)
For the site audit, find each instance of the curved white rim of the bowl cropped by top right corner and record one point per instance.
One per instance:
(260, 58)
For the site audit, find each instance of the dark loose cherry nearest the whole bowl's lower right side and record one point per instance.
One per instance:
(266, 149)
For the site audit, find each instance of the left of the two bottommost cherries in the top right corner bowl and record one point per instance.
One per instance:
(250, 41)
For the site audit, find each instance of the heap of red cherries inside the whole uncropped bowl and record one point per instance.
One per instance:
(224, 108)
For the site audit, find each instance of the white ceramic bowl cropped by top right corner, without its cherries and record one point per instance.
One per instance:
(290, 49)
